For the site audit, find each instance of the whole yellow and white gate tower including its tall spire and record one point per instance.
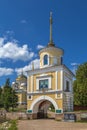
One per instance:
(49, 84)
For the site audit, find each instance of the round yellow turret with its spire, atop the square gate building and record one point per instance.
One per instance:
(51, 55)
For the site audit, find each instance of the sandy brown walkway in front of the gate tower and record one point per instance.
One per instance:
(47, 124)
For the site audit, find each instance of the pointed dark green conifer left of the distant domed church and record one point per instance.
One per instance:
(9, 97)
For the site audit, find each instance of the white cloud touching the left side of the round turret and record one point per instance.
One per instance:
(36, 63)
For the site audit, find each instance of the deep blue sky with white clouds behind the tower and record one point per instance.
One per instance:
(24, 29)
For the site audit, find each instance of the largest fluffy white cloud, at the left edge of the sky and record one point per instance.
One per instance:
(13, 51)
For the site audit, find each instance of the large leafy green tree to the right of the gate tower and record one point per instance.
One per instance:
(80, 86)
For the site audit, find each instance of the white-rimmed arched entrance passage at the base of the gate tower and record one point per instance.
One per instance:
(41, 105)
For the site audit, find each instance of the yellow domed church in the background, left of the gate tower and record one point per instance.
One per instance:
(20, 87)
